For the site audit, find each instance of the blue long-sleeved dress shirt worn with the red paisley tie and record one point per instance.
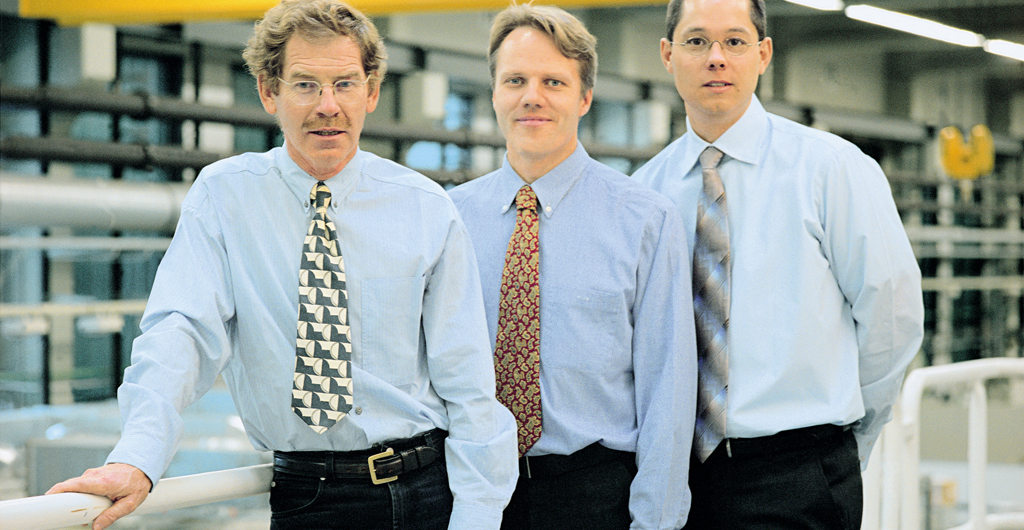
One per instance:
(618, 351)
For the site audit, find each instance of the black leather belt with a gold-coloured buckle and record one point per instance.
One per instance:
(381, 464)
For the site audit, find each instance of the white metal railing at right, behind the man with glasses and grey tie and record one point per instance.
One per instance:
(900, 472)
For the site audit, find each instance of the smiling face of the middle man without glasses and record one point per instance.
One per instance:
(538, 101)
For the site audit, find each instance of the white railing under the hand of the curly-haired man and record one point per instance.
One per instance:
(62, 510)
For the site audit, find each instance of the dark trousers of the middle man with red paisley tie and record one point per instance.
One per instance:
(588, 491)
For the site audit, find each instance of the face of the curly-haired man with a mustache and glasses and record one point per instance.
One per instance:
(322, 138)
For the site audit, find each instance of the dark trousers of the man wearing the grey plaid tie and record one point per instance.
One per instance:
(802, 479)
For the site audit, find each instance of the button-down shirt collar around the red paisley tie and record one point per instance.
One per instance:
(550, 188)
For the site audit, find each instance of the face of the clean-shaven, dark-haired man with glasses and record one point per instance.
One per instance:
(716, 87)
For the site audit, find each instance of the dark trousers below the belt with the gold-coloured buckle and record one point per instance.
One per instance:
(420, 500)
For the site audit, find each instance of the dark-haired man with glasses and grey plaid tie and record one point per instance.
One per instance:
(826, 310)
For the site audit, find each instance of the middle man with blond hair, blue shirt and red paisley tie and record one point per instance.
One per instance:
(617, 346)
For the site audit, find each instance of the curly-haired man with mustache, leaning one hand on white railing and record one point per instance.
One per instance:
(227, 298)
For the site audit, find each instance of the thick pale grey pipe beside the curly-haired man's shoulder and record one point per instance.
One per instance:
(90, 203)
